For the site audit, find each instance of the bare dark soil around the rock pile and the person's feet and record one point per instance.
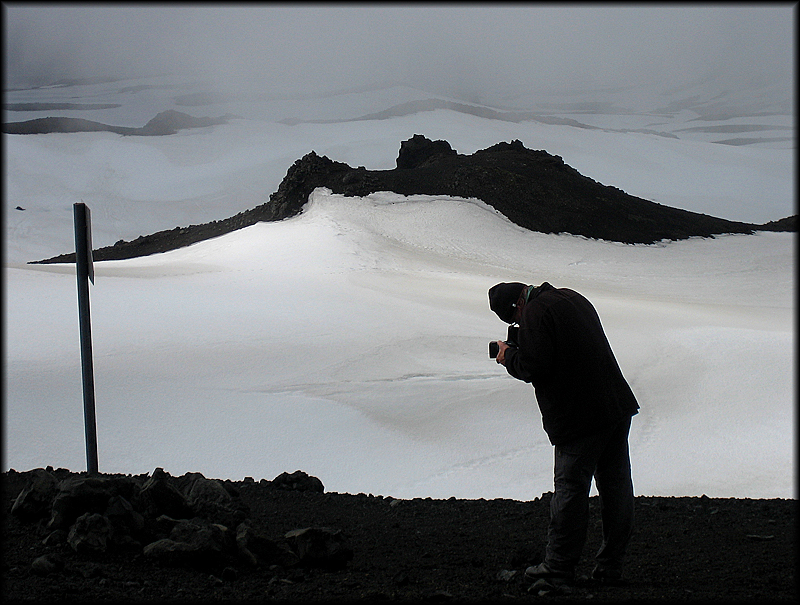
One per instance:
(683, 549)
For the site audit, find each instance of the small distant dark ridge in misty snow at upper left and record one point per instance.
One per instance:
(166, 122)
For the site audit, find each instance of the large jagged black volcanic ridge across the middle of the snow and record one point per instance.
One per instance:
(533, 189)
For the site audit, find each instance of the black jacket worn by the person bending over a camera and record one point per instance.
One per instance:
(564, 353)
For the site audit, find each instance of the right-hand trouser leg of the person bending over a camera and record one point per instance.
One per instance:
(614, 484)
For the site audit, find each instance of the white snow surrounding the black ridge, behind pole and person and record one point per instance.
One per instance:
(351, 341)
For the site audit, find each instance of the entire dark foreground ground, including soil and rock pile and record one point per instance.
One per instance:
(71, 537)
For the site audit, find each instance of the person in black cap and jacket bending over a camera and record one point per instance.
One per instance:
(586, 407)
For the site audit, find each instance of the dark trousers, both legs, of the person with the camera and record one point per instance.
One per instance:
(605, 457)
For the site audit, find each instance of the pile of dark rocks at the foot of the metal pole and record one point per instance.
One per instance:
(188, 521)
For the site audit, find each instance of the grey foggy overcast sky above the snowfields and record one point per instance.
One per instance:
(461, 50)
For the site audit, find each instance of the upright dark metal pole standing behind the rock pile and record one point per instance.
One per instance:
(84, 270)
